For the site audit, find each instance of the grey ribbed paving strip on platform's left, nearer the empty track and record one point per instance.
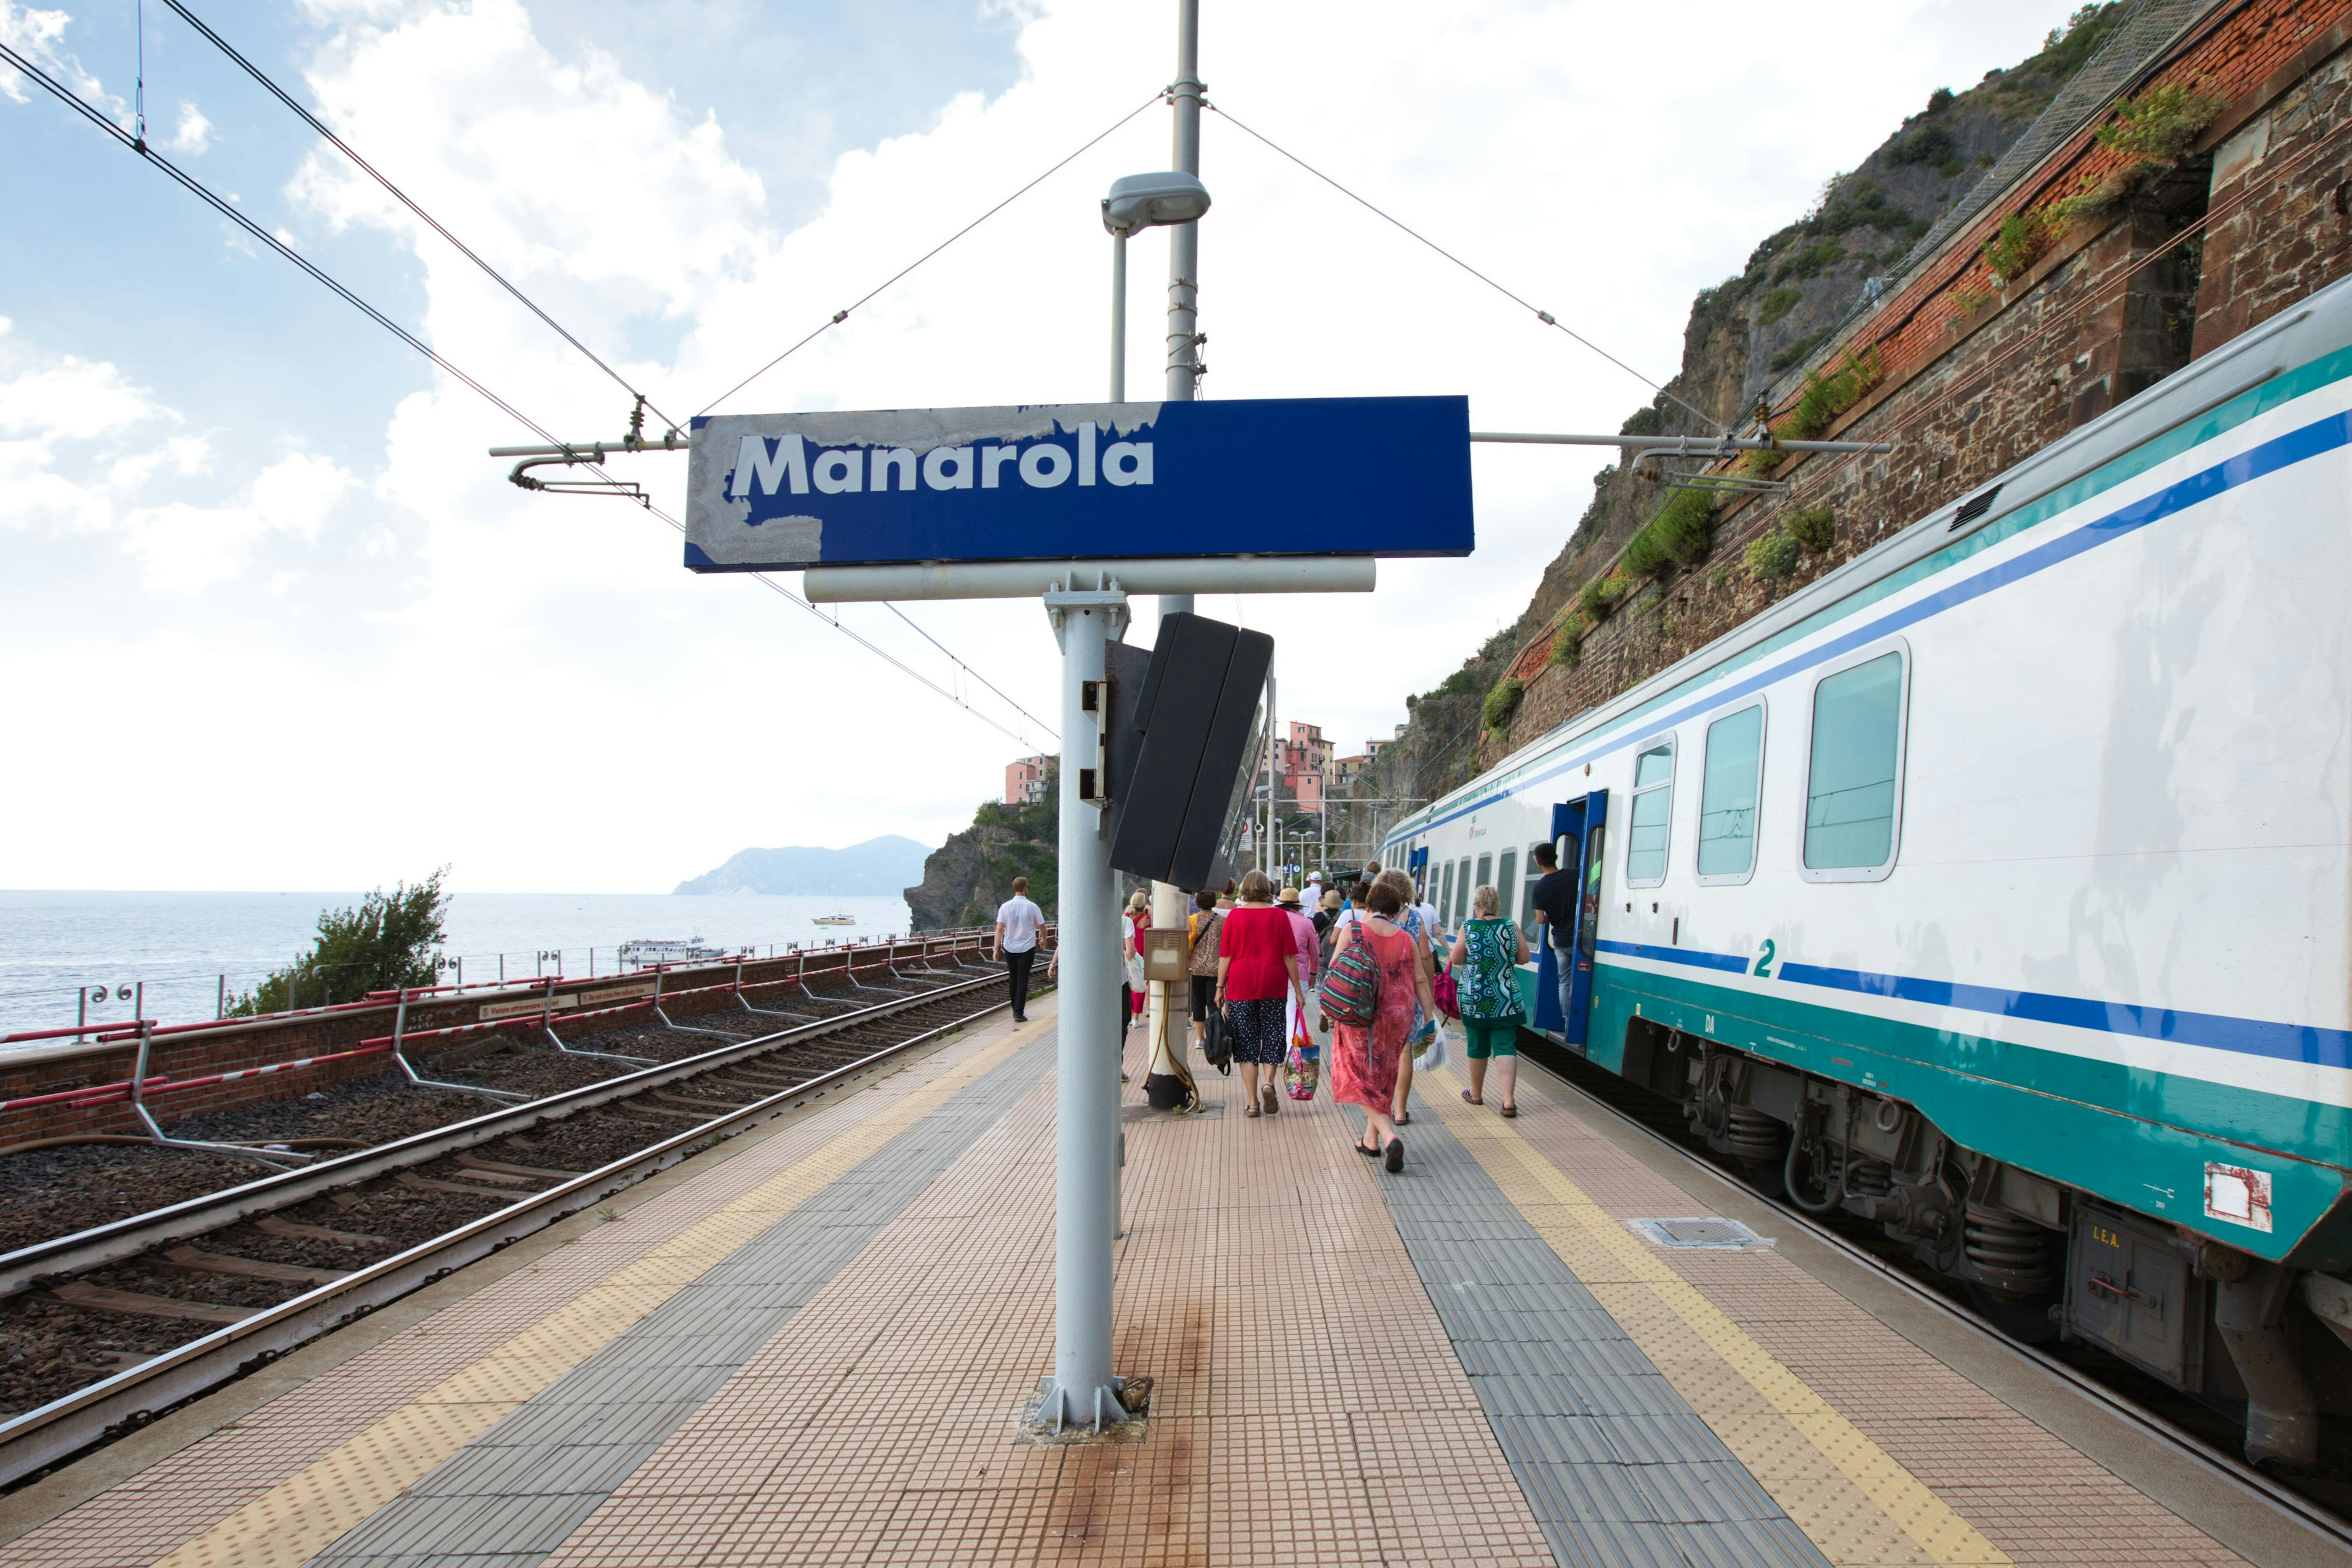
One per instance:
(516, 1492)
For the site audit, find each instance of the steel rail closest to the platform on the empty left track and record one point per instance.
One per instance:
(138, 1395)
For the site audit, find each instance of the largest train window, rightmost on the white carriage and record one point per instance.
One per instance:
(1855, 770)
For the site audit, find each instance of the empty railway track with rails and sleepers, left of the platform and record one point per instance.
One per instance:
(293, 1257)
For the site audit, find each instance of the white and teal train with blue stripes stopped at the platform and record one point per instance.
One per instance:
(1996, 885)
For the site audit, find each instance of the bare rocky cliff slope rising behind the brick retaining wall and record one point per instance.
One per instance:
(1746, 335)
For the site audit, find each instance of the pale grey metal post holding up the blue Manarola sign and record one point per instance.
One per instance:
(1088, 1066)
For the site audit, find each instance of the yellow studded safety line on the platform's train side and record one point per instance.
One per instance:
(1909, 1503)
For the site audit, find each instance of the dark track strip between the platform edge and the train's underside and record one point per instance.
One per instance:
(2099, 1386)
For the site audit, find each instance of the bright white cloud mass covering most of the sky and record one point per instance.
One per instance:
(1561, 147)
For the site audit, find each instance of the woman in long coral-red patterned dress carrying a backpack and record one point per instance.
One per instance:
(1377, 977)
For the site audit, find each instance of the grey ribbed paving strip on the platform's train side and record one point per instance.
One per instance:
(1615, 1463)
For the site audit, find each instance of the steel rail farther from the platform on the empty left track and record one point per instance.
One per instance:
(133, 1235)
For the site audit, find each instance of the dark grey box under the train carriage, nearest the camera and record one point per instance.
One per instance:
(2130, 1289)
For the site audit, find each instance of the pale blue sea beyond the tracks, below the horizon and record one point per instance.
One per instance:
(180, 953)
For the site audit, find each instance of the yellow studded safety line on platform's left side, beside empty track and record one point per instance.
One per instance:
(335, 1494)
